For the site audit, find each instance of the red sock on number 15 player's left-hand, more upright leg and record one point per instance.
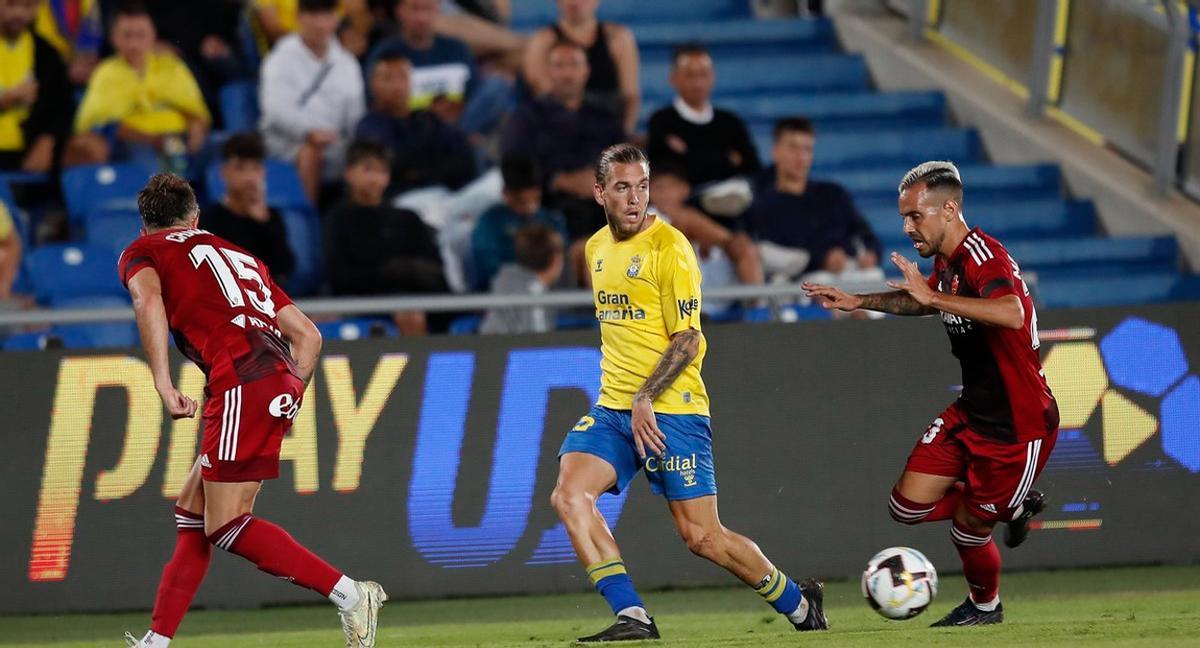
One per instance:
(183, 575)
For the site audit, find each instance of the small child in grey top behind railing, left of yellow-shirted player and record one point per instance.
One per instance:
(539, 265)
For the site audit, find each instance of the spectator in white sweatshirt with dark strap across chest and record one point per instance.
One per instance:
(313, 97)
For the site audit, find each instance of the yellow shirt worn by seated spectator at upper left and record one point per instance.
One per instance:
(157, 103)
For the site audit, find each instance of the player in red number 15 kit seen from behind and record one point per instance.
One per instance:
(257, 352)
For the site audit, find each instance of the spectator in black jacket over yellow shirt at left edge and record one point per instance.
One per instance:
(35, 97)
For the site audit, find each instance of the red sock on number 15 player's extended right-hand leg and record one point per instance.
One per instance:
(274, 551)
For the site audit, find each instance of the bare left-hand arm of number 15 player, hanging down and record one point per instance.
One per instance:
(152, 316)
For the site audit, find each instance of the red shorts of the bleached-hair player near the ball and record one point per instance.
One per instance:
(997, 476)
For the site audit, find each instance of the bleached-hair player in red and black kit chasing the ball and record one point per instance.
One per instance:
(977, 461)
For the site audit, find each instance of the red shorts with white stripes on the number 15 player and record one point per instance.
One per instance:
(244, 428)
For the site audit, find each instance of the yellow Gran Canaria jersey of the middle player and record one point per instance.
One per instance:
(646, 290)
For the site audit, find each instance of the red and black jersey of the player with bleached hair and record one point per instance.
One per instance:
(1005, 392)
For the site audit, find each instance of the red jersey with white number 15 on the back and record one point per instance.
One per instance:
(221, 304)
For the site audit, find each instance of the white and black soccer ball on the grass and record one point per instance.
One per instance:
(899, 583)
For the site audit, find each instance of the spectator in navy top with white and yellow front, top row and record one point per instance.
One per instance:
(447, 81)
